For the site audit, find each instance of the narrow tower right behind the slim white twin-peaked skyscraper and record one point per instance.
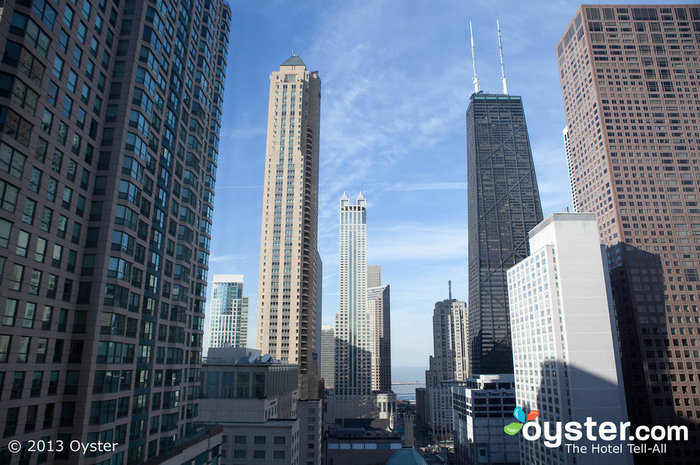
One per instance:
(379, 314)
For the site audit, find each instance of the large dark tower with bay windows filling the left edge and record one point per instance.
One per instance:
(109, 124)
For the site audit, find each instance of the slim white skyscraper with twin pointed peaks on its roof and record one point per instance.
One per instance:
(353, 372)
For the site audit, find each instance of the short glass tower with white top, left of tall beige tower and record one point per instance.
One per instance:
(228, 319)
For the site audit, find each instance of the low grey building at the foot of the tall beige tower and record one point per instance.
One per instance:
(255, 400)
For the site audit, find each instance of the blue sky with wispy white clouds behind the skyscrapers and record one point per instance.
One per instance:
(396, 76)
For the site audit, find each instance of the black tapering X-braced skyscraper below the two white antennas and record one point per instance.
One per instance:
(504, 204)
